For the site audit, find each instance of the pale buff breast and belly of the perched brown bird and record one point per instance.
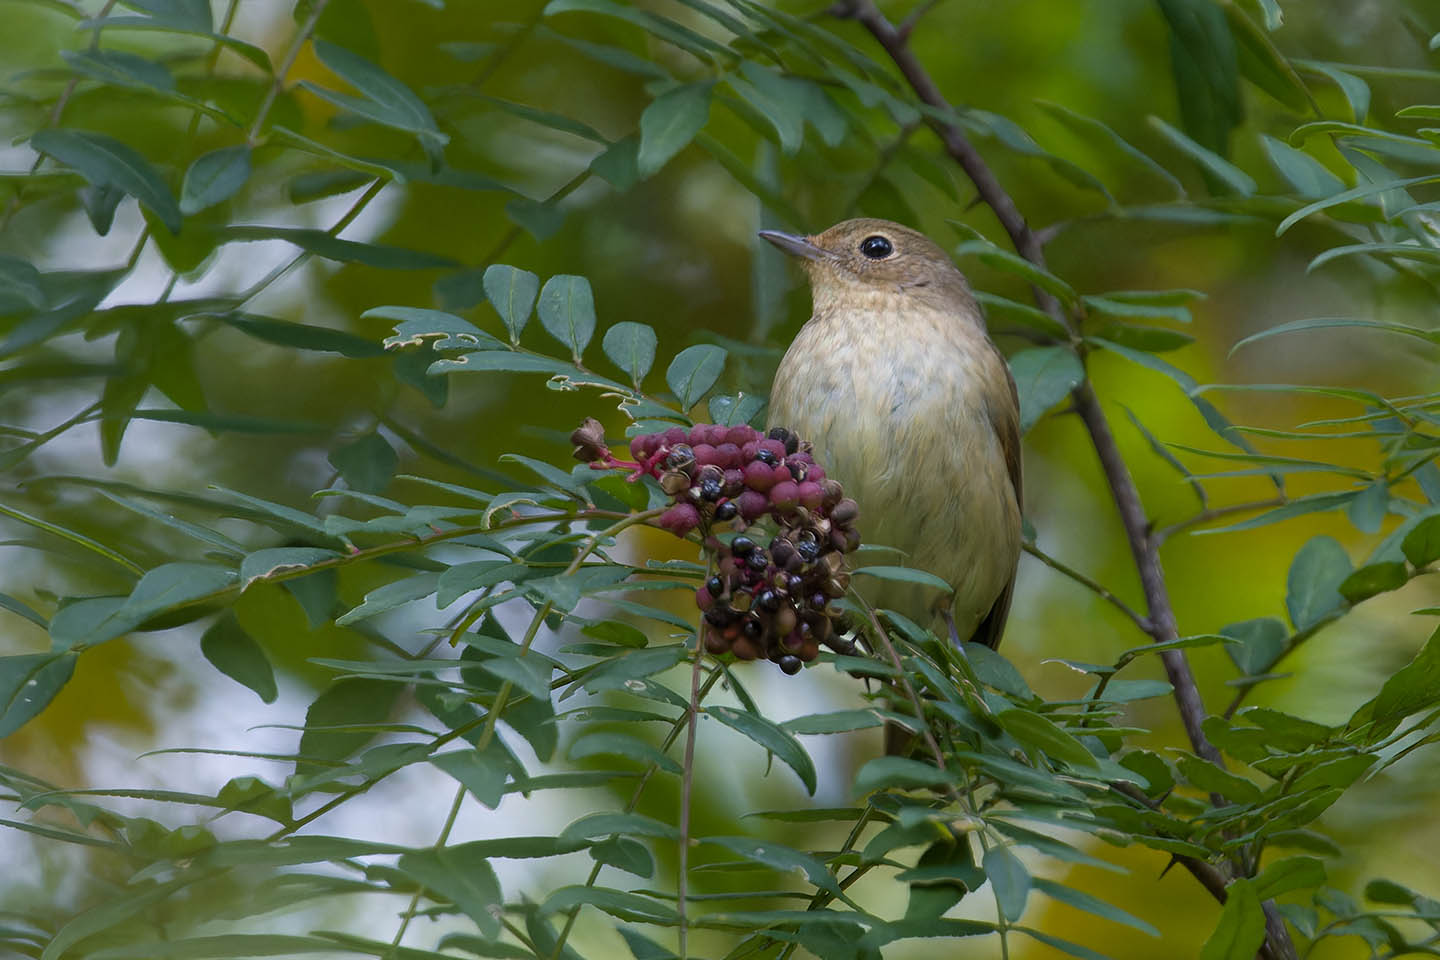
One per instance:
(912, 441)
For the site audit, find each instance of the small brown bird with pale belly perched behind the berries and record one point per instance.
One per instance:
(912, 408)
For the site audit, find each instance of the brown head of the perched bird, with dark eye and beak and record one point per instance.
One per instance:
(876, 261)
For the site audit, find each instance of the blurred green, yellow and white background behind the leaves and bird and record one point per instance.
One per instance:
(529, 101)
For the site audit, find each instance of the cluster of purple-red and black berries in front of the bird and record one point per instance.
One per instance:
(768, 599)
